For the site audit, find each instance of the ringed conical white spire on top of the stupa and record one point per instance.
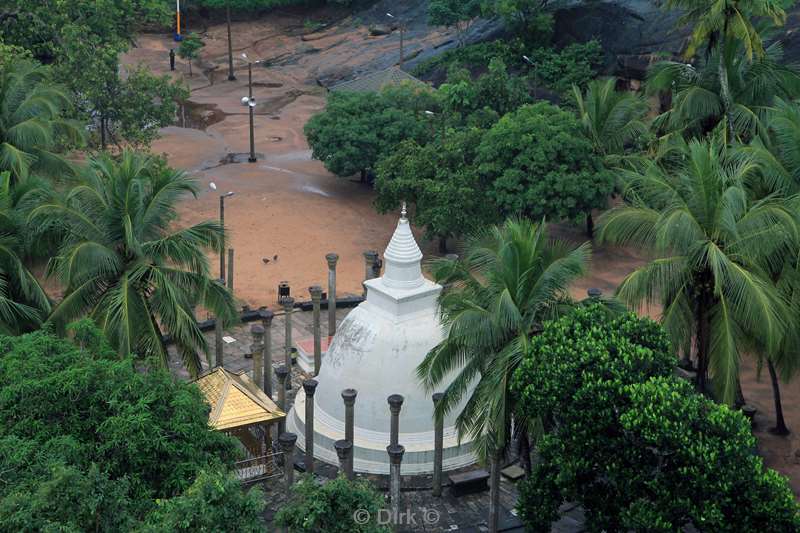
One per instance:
(403, 257)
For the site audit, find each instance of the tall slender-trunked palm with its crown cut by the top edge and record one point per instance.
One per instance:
(720, 23)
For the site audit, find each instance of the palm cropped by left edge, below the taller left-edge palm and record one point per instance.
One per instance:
(24, 305)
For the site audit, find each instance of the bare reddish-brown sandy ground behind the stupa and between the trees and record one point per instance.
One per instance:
(287, 205)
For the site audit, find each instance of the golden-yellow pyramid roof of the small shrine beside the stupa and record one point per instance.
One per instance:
(235, 400)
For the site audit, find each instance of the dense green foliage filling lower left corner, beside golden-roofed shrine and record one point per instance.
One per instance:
(88, 442)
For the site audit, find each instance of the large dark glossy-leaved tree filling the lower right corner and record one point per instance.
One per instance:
(635, 446)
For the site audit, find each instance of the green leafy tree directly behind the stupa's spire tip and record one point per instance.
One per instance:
(440, 181)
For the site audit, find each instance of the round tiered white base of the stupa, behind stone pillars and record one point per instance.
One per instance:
(370, 446)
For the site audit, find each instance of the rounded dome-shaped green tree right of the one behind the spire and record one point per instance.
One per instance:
(543, 167)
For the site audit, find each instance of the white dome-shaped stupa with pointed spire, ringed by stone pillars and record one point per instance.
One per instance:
(376, 351)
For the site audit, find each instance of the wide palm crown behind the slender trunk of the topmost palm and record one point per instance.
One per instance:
(697, 104)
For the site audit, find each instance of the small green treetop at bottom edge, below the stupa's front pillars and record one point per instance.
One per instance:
(332, 507)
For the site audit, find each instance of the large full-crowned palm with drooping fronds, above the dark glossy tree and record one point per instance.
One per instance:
(714, 247)
